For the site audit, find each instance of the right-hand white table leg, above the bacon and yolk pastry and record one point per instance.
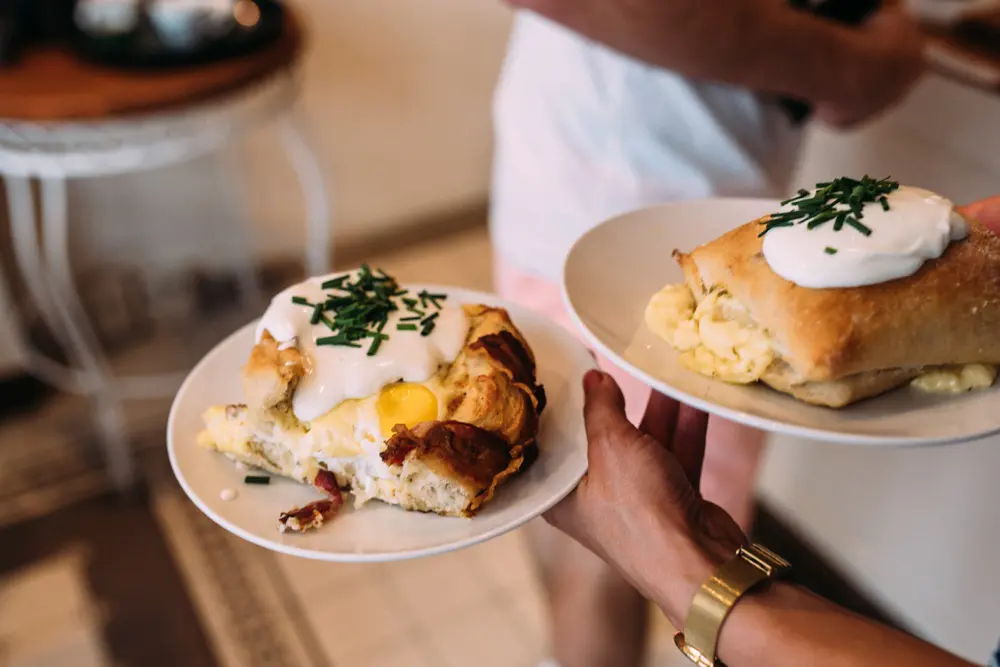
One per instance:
(312, 178)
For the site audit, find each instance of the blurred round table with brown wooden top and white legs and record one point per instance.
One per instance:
(62, 118)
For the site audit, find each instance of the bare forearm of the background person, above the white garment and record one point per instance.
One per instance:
(761, 45)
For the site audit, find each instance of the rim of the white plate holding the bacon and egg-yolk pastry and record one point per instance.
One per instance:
(344, 557)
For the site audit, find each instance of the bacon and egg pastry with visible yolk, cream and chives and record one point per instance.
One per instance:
(358, 385)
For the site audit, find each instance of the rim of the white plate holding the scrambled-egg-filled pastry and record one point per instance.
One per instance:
(761, 423)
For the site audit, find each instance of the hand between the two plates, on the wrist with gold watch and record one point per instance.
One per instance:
(639, 507)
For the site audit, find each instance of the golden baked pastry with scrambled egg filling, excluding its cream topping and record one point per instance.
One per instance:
(737, 319)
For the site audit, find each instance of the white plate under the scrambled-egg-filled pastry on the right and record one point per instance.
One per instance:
(615, 268)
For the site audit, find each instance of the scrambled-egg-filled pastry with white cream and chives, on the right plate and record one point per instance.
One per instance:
(851, 290)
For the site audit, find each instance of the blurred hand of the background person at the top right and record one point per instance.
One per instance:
(889, 61)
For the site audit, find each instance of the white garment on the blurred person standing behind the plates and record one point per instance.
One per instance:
(583, 133)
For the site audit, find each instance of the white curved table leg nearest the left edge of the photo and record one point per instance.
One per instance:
(50, 284)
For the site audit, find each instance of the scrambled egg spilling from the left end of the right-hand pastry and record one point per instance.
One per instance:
(715, 337)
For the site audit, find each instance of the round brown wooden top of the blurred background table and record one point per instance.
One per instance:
(52, 84)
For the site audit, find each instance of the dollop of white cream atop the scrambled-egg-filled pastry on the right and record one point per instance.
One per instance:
(918, 226)
